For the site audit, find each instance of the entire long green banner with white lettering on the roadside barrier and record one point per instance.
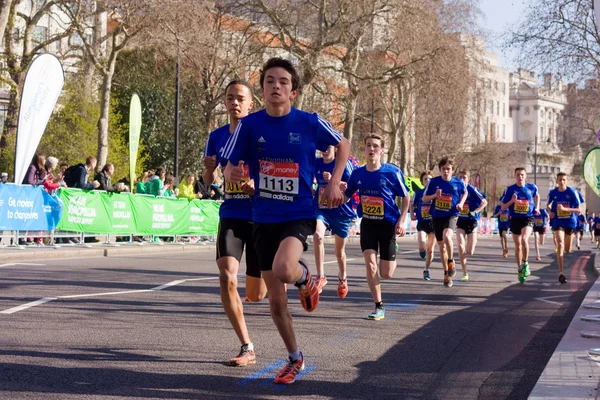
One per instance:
(126, 213)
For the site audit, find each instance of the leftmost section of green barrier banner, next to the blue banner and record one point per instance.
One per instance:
(83, 212)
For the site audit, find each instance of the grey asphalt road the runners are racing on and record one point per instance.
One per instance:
(151, 326)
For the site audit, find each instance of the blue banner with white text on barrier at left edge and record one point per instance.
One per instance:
(27, 207)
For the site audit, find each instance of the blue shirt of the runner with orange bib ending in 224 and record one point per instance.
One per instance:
(378, 191)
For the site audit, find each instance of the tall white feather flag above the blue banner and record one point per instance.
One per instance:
(43, 84)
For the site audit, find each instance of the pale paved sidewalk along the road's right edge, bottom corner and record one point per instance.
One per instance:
(571, 372)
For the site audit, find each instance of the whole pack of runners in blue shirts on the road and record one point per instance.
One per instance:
(278, 193)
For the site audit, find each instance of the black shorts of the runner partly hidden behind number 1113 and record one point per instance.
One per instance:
(233, 236)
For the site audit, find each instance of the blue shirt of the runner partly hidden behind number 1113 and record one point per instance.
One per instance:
(236, 202)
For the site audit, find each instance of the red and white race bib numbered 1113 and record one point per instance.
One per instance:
(279, 181)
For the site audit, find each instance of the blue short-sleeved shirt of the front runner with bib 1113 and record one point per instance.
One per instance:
(280, 152)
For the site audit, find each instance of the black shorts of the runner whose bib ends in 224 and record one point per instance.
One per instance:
(378, 235)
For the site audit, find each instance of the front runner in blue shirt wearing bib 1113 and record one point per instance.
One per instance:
(279, 145)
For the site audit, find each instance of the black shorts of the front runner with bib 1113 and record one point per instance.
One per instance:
(267, 238)
